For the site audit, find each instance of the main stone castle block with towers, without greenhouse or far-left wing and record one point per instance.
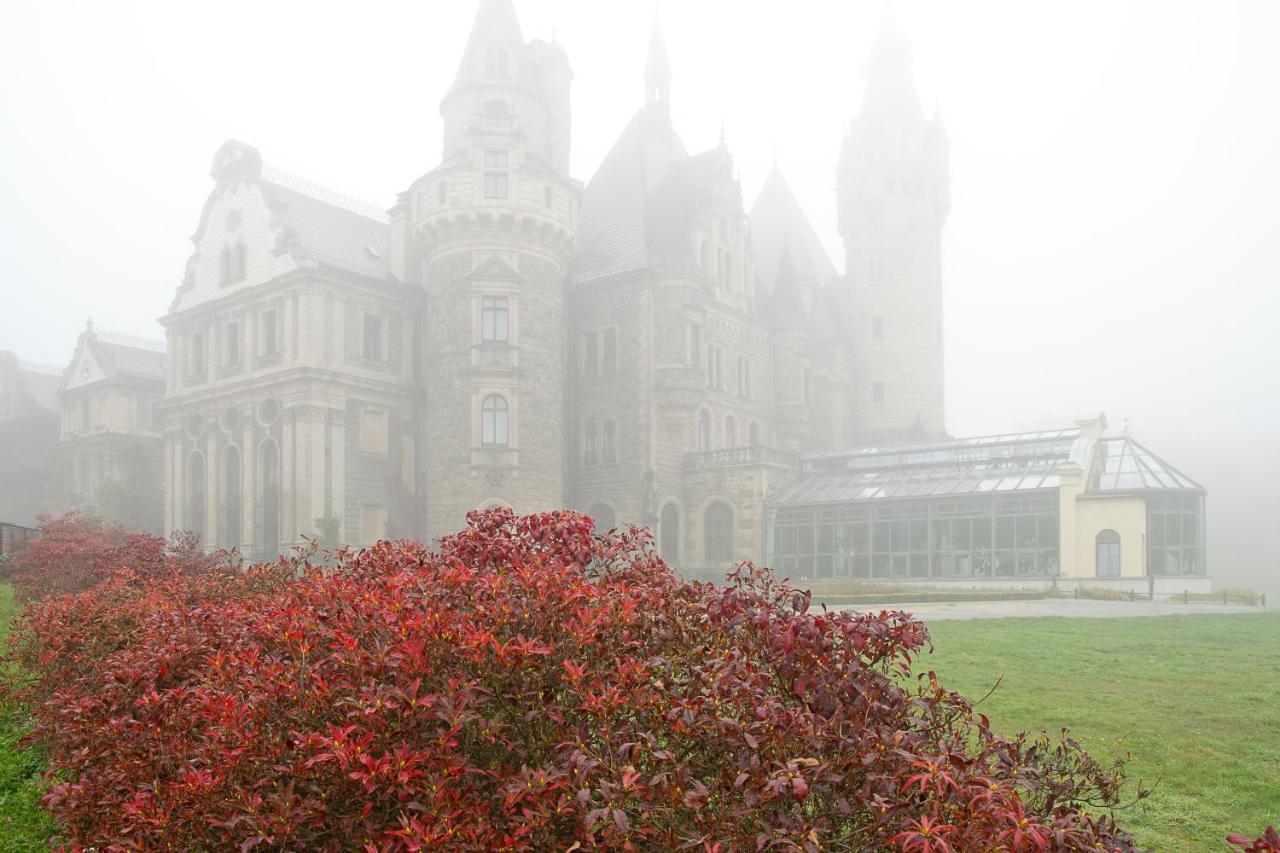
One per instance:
(641, 348)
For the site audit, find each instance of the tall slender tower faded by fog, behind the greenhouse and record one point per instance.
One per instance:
(894, 195)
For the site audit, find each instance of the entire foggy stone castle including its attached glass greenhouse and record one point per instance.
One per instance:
(641, 348)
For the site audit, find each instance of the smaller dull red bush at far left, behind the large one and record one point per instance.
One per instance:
(74, 553)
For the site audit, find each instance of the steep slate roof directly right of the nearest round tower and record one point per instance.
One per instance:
(621, 207)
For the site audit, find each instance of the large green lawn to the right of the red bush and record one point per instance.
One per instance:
(1195, 699)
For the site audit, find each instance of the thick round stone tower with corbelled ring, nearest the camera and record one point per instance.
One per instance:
(490, 235)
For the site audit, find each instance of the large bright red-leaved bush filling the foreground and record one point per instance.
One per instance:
(531, 686)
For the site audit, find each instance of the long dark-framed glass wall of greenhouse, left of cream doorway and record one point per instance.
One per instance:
(998, 537)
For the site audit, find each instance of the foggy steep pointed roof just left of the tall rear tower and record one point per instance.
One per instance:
(778, 221)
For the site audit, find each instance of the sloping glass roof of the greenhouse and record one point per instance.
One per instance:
(973, 467)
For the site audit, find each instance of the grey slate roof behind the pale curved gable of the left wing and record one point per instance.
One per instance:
(331, 232)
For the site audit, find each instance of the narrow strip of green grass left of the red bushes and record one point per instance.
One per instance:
(24, 825)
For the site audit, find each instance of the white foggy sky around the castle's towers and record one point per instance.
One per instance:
(1114, 238)
